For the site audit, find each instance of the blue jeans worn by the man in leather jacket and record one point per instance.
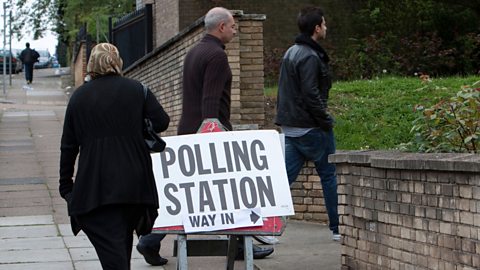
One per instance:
(316, 145)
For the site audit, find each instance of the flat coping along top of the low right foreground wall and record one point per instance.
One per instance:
(410, 161)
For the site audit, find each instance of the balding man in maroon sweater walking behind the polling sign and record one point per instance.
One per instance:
(207, 81)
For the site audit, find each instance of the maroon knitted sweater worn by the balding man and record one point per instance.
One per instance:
(207, 81)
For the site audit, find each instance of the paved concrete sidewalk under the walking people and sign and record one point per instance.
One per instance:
(34, 226)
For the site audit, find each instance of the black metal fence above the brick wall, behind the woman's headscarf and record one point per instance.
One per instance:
(132, 34)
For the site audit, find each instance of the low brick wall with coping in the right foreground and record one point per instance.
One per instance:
(409, 211)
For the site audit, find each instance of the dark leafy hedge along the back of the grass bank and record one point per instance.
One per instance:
(418, 52)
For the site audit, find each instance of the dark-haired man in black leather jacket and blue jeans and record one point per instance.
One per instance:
(302, 108)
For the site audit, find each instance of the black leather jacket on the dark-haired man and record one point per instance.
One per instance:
(303, 89)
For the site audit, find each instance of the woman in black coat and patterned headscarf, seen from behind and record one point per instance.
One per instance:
(114, 192)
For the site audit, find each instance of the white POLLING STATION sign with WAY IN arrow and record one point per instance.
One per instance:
(208, 178)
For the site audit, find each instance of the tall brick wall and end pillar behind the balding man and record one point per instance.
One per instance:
(162, 69)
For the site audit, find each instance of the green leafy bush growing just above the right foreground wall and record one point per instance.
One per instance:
(451, 125)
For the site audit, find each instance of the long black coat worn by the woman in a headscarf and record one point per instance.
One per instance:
(103, 123)
